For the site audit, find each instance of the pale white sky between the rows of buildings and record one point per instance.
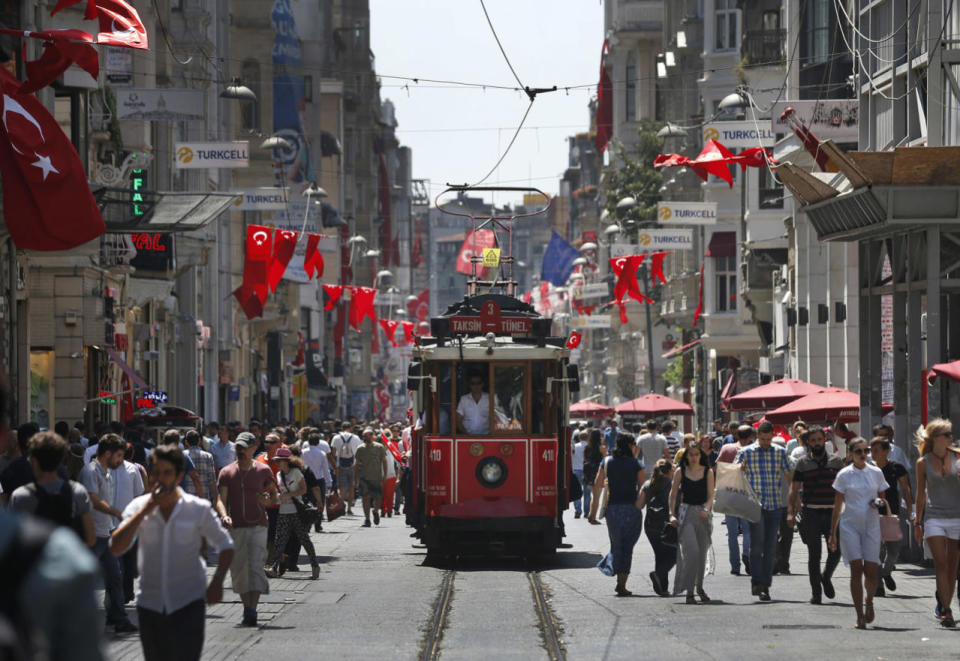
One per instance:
(457, 134)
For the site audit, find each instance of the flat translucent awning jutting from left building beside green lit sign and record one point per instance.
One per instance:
(160, 211)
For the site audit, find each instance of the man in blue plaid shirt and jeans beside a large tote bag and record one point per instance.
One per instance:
(768, 469)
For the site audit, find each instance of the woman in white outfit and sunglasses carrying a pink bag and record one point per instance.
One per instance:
(855, 514)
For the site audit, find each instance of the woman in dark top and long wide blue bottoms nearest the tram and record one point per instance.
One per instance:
(624, 474)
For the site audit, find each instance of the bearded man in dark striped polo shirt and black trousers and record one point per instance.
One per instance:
(812, 497)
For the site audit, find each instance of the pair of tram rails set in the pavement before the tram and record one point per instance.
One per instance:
(546, 620)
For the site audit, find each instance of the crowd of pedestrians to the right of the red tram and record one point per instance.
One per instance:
(837, 489)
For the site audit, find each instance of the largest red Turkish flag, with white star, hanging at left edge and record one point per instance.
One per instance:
(47, 203)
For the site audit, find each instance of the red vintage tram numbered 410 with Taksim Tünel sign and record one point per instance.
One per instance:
(491, 450)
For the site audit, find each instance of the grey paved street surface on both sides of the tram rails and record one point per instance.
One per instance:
(375, 599)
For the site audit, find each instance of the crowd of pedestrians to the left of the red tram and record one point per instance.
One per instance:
(153, 507)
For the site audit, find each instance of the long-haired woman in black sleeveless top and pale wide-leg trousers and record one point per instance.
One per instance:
(693, 480)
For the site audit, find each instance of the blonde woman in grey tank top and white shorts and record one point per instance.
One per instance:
(938, 508)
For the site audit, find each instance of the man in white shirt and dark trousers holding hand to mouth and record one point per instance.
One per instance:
(171, 525)
